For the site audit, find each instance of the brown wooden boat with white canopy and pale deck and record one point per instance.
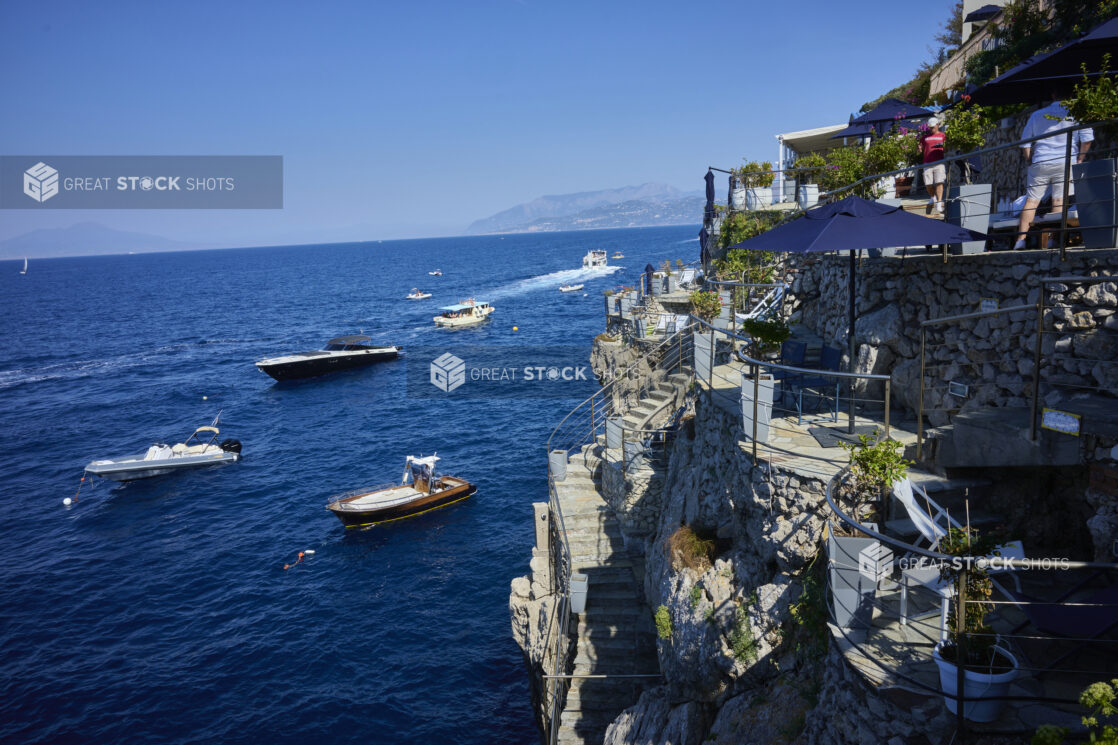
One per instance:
(421, 491)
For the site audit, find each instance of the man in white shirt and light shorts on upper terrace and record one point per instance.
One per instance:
(1046, 159)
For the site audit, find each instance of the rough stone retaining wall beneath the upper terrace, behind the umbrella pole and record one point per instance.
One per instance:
(993, 356)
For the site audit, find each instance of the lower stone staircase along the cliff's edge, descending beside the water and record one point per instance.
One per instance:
(615, 636)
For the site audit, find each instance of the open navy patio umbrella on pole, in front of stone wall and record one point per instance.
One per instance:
(854, 224)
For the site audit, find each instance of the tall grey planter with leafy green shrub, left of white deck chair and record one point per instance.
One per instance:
(856, 561)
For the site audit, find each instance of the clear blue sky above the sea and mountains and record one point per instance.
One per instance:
(414, 119)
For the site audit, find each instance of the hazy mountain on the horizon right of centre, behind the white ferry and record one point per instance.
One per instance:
(634, 206)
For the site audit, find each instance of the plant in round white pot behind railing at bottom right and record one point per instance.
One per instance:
(989, 669)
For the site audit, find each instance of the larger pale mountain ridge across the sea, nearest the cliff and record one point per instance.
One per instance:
(543, 210)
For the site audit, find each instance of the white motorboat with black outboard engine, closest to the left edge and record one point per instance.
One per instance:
(195, 452)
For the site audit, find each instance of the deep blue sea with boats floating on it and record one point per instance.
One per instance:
(159, 611)
